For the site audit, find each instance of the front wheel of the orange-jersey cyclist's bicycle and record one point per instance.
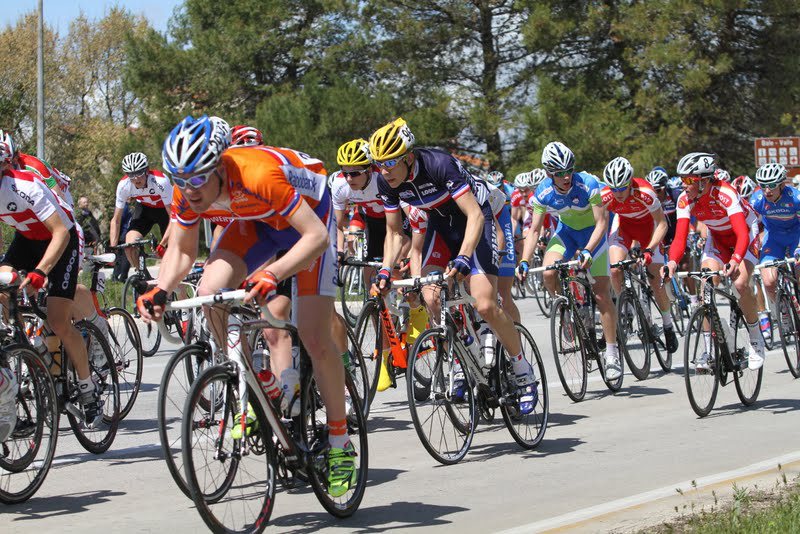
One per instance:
(233, 491)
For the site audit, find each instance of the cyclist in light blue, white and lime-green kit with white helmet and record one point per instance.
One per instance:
(582, 228)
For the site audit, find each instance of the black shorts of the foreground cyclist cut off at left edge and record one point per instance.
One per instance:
(25, 254)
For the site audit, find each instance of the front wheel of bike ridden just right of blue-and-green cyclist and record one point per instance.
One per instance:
(632, 326)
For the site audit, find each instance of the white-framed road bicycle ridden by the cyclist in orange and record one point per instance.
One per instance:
(228, 476)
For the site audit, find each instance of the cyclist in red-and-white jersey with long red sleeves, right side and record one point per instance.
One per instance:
(727, 247)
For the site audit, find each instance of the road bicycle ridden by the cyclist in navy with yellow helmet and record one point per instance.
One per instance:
(444, 406)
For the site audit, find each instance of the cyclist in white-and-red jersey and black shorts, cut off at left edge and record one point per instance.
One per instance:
(45, 244)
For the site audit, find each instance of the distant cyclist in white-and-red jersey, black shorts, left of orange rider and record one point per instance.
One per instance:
(152, 192)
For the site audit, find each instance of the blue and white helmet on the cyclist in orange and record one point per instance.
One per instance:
(194, 146)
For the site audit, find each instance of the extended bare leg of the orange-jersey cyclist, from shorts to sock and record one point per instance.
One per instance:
(315, 321)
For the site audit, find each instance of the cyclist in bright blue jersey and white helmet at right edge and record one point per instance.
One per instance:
(779, 207)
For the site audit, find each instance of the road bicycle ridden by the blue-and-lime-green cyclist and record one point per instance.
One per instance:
(575, 344)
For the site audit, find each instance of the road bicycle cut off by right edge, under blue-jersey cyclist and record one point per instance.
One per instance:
(787, 306)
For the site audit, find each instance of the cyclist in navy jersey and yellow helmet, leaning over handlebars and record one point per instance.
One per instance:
(461, 230)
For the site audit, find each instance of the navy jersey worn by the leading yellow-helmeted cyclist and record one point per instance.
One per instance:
(437, 180)
